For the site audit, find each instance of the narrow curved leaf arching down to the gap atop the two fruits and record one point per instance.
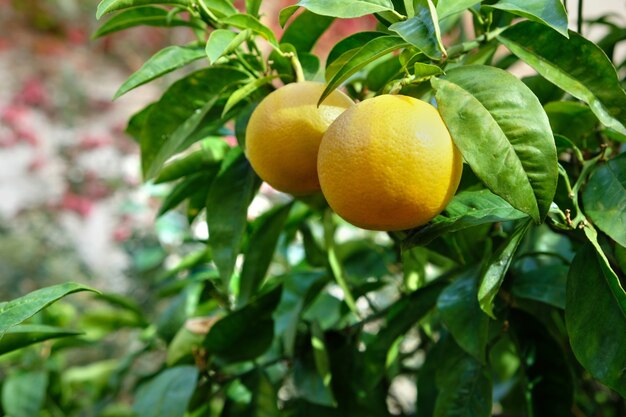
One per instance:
(371, 51)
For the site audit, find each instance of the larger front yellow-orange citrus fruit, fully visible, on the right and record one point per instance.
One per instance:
(388, 163)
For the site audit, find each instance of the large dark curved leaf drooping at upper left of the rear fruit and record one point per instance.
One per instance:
(182, 109)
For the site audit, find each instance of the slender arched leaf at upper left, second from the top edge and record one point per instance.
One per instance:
(148, 16)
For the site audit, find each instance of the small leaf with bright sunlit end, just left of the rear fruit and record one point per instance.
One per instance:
(210, 154)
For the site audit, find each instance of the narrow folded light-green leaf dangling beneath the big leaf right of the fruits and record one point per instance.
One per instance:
(497, 268)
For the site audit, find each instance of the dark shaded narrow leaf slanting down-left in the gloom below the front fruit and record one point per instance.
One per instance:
(399, 318)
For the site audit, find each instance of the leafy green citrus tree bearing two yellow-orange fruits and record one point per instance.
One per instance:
(485, 276)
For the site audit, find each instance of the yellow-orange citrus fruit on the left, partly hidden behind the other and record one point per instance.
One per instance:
(284, 134)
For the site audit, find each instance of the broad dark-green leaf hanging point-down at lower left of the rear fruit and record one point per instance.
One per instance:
(227, 208)
